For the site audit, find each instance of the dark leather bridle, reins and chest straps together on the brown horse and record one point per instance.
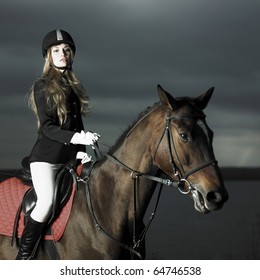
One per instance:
(181, 175)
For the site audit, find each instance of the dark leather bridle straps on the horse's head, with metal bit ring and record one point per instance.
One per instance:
(181, 175)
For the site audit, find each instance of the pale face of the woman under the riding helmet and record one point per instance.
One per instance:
(61, 55)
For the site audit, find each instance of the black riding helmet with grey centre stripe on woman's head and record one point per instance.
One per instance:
(57, 37)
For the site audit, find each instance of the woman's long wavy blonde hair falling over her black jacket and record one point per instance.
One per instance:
(56, 90)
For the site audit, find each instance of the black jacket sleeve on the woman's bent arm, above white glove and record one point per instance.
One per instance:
(49, 123)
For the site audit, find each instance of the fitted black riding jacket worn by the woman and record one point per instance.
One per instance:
(53, 142)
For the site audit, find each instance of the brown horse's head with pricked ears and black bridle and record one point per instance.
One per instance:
(185, 151)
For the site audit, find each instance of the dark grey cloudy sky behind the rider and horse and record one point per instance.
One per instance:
(124, 49)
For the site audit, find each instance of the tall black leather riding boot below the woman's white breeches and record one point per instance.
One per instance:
(30, 239)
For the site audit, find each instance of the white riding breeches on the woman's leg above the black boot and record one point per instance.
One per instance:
(43, 178)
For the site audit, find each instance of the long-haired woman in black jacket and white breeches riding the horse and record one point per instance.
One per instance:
(58, 101)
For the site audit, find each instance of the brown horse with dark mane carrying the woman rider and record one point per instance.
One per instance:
(170, 143)
